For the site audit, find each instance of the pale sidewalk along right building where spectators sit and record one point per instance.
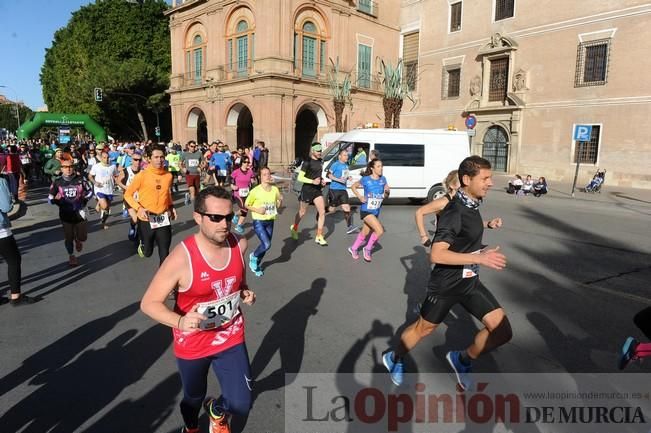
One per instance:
(613, 195)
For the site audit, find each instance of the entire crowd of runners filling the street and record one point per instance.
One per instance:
(205, 273)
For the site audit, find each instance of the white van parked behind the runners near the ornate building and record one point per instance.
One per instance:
(415, 160)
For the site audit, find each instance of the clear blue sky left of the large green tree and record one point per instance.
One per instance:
(26, 29)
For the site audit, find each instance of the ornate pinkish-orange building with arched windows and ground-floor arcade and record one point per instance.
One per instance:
(245, 70)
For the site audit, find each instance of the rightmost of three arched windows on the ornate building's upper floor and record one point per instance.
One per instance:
(309, 50)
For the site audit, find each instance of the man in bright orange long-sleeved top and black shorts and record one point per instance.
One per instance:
(149, 193)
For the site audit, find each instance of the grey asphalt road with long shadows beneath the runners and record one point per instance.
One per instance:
(85, 359)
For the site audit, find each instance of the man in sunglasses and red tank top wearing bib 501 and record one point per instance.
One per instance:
(208, 271)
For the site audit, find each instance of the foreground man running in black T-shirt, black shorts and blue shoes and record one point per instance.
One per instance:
(457, 252)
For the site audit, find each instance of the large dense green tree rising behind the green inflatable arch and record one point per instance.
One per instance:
(122, 47)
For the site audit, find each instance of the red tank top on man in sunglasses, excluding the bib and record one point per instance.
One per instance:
(209, 284)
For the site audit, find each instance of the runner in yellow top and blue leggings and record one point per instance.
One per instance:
(263, 201)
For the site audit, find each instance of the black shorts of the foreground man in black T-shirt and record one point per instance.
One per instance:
(475, 298)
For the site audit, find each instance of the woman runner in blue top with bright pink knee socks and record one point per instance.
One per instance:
(376, 189)
